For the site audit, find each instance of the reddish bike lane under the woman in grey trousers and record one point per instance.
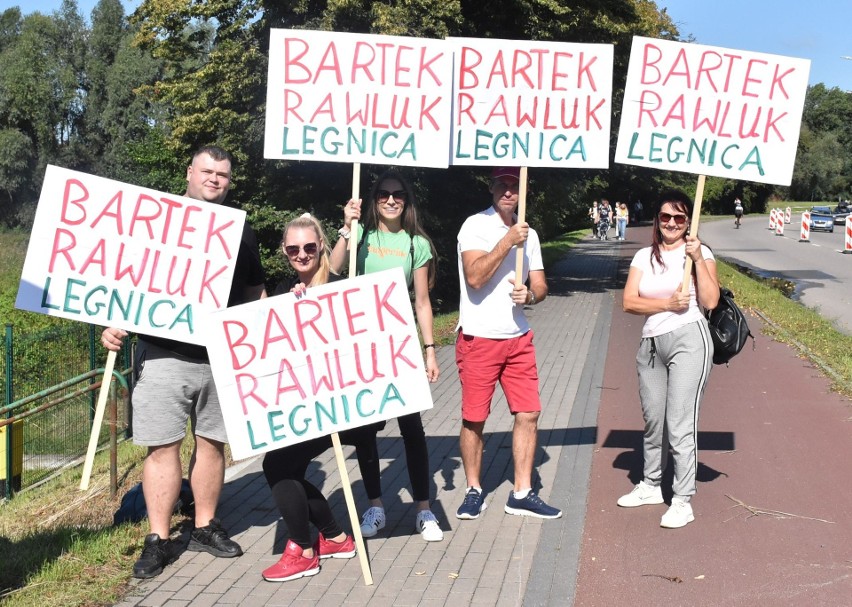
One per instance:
(774, 502)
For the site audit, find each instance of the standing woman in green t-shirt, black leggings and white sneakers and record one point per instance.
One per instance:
(390, 235)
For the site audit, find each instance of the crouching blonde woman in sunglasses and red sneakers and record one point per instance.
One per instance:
(299, 501)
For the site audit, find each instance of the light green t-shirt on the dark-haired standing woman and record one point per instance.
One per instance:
(386, 250)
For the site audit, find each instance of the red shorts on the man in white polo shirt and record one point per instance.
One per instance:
(482, 362)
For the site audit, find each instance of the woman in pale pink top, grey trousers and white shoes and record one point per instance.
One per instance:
(675, 354)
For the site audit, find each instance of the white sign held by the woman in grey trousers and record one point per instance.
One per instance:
(712, 111)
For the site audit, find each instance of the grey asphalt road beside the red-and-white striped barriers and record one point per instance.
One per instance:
(819, 269)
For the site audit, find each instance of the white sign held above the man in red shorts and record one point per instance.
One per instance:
(523, 103)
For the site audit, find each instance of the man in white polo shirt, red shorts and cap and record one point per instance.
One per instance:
(495, 341)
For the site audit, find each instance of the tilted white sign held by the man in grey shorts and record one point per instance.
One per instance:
(113, 254)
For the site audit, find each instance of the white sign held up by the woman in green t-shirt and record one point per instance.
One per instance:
(344, 97)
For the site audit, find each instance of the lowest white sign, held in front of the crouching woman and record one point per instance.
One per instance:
(339, 356)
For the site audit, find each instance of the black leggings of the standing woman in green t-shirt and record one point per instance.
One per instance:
(416, 457)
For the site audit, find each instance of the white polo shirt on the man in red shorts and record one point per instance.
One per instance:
(489, 311)
